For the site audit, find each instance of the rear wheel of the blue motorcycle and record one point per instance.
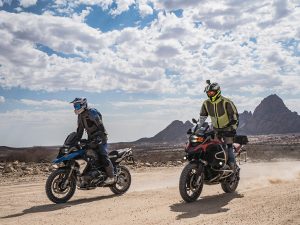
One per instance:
(123, 181)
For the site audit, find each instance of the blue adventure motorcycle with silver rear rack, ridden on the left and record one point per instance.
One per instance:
(76, 164)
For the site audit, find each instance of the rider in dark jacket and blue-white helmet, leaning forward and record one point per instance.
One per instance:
(90, 120)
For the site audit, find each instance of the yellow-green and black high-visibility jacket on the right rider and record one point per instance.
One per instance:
(222, 112)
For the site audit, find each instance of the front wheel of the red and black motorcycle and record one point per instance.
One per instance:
(191, 182)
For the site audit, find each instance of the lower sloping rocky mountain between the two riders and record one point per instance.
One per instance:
(173, 133)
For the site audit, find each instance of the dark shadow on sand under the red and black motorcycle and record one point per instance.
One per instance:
(206, 205)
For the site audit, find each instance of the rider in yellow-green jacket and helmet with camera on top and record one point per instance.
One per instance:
(224, 117)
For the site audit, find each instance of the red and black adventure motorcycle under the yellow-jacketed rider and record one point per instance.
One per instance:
(207, 158)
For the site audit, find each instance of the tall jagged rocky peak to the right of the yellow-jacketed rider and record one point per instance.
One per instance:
(271, 116)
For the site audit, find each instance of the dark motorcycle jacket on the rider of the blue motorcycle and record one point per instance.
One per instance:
(91, 121)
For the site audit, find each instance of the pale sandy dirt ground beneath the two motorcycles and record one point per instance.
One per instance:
(269, 193)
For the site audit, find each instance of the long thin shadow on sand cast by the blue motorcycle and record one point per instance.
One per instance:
(54, 207)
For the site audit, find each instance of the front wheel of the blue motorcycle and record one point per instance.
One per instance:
(58, 188)
